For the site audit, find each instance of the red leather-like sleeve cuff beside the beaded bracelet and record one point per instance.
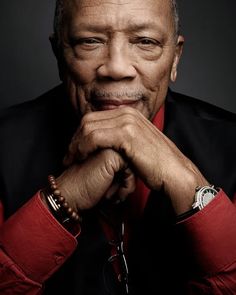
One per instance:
(33, 245)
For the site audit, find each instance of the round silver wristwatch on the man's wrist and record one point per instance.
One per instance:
(203, 196)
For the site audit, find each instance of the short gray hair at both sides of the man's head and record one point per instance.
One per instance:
(59, 13)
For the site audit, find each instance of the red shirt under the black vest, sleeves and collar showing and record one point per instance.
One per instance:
(33, 245)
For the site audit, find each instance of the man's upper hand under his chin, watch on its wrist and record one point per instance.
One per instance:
(152, 156)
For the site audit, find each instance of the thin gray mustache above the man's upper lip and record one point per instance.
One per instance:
(104, 94)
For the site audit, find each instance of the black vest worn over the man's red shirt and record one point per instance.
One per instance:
(34, 137)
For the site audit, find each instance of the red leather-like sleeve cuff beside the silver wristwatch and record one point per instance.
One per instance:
(211, 235)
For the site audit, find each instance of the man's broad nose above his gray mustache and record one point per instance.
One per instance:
(117, 65)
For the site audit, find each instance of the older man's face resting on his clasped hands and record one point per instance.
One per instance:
(119, 53)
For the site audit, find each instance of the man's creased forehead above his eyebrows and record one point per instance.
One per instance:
(119, 13)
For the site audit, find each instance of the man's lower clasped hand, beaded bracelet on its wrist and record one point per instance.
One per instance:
(103, 175)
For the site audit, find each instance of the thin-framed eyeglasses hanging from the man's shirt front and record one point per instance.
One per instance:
(112, 286)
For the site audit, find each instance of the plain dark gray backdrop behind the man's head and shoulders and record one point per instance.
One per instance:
(207, 69)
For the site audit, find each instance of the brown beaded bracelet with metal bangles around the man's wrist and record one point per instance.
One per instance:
(58, 204)
